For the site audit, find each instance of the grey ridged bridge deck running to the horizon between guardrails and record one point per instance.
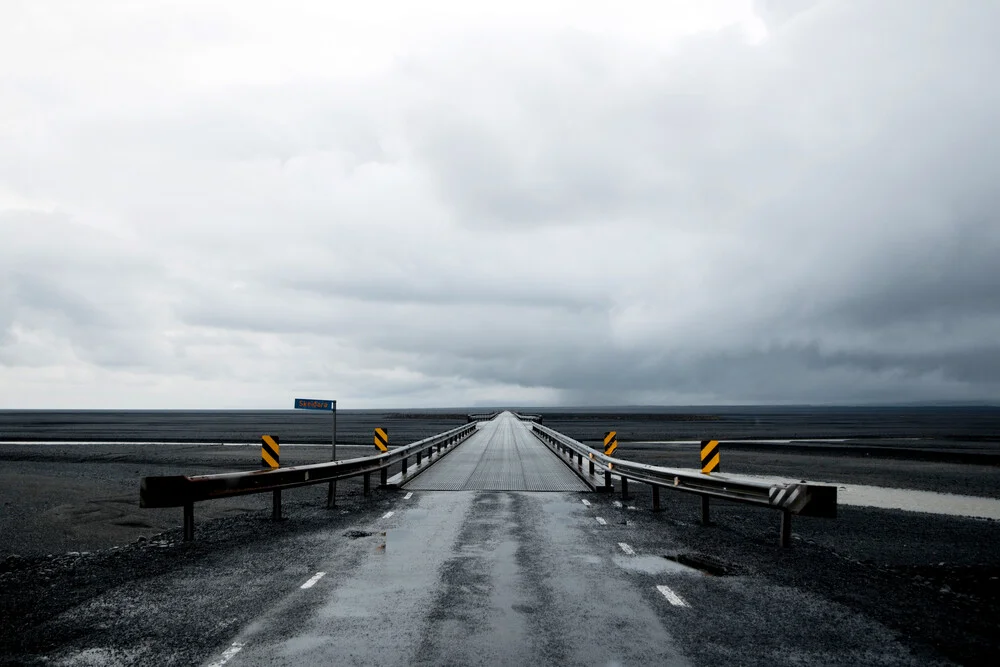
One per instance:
(502, 456)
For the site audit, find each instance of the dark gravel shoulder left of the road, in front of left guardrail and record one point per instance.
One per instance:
(160, 600)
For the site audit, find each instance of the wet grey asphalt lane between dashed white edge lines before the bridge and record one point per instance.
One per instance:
(474, 578)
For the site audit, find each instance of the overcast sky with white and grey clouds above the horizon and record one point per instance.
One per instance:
(401, 204)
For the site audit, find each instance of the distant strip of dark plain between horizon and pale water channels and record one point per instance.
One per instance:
(957, 427)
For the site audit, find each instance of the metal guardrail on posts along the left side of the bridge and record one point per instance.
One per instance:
(184, 491)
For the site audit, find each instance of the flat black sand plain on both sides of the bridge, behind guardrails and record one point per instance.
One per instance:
(64, 497)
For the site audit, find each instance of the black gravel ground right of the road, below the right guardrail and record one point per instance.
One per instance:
(932, 580)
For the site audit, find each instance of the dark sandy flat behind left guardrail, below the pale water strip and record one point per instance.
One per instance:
(84, 498)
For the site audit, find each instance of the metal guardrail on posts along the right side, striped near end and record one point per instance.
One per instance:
(818, 500)
